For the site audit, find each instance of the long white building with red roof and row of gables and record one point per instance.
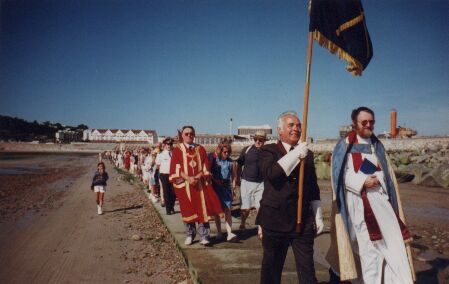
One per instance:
(122, 135)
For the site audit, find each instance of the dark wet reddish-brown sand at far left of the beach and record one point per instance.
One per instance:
(33, 183)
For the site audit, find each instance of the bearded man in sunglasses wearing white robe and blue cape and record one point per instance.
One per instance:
(367, 215)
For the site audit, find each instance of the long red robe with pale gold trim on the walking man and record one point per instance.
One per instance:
(198, 203)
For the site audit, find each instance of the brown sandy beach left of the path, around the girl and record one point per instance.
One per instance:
(50, 231)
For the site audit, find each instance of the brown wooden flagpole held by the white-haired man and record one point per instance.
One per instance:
(304, 131)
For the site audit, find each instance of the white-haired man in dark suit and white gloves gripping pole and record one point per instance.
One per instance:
(278, 207)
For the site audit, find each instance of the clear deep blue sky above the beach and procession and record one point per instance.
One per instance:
(163, 64)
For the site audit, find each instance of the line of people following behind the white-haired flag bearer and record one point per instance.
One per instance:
(160, 167)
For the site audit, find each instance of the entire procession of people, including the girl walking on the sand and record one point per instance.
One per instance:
(368, 236)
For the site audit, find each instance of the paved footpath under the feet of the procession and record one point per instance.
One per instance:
(235, 262)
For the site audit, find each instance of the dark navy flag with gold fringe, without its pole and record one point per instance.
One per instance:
(339, 26)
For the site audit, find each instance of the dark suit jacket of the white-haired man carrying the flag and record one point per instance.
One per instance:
(279, 202)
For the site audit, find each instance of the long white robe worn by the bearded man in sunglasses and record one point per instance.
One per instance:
(385, 259)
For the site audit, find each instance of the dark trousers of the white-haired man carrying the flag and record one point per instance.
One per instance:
(275, 246)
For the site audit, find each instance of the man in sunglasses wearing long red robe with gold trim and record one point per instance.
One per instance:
(189, 173)
